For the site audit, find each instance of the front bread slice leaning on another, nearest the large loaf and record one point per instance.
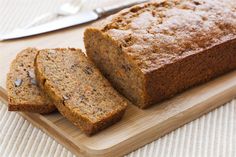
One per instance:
(79, 91)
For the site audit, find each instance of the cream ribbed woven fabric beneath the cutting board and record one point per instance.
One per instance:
(212, 135)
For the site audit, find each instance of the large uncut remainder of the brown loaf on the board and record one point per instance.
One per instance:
(153, 51)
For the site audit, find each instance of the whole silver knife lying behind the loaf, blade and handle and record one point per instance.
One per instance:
(80, 18)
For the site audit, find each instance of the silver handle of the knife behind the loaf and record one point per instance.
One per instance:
(105, 11)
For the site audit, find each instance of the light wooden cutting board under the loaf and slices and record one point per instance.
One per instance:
(138, 127)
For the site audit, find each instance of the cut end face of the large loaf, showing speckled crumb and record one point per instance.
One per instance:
(116, 65)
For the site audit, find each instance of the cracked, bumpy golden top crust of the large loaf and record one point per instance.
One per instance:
(159, 33)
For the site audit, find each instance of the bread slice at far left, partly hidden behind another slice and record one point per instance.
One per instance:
(23, 92)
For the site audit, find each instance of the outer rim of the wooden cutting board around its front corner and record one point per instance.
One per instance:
(55, 132)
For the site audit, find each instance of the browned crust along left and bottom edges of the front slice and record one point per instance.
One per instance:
(80, 121)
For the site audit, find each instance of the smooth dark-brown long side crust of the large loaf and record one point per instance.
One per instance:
(192, 70)
